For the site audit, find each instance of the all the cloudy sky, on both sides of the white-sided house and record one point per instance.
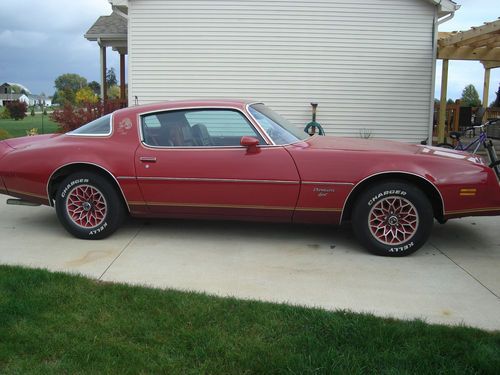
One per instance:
(40, 40)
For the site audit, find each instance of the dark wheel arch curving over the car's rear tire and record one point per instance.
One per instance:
(62, 172)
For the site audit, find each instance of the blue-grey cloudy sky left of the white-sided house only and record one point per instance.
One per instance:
(40, 40)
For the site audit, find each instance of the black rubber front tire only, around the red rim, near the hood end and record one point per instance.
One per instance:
(371, 197)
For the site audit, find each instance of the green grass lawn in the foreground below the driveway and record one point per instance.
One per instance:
(56, 323)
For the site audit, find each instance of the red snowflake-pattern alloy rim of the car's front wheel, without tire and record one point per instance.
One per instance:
(393, 221)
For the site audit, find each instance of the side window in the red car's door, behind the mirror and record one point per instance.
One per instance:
(198, 128)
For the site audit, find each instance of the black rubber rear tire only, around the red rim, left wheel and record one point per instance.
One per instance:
(114, 211)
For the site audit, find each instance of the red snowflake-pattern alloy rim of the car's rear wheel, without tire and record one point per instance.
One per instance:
(86, 206)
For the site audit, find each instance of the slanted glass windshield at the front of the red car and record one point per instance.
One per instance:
(280, 130)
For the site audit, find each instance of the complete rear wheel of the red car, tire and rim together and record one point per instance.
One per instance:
(88, 206)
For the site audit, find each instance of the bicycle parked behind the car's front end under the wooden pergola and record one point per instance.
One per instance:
(481, 140)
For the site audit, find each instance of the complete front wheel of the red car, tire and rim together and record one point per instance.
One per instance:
(388, 233)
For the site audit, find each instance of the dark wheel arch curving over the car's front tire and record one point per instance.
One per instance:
(429, 189)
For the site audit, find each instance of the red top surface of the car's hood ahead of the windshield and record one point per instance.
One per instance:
(355, 144)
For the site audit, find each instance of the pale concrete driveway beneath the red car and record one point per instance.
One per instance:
(454, 279)
